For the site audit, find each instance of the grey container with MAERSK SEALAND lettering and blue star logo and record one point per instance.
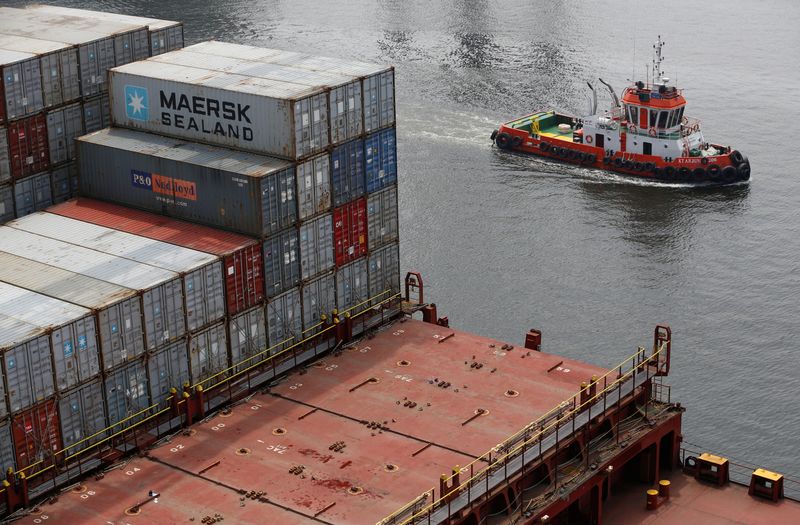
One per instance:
(252, 114)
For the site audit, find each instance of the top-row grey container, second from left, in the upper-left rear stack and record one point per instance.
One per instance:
(58, 66)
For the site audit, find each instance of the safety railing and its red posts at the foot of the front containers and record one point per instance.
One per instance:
(130, 429)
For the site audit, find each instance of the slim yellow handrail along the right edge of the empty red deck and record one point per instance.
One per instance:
(494, 463)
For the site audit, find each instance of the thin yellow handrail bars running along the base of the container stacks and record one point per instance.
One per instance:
(67, 457)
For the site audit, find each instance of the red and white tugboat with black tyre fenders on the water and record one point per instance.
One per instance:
(645, 134)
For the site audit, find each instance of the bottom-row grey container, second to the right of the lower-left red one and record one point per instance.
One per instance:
(127, 394)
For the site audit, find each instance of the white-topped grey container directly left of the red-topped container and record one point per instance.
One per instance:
(201, 273)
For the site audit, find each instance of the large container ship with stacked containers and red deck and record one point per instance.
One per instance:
(210, 325)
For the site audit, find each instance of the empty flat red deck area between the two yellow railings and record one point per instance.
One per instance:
(350, 439)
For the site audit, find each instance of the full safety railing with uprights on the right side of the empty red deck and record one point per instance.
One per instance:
(529, 440)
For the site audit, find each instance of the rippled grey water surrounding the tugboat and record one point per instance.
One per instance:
(507, 243)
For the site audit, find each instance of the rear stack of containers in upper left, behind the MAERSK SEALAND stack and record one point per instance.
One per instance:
(54, 88)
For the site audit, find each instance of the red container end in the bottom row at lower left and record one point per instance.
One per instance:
(37, 435)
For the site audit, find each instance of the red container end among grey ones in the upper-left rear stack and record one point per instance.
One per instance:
(28, 146)
